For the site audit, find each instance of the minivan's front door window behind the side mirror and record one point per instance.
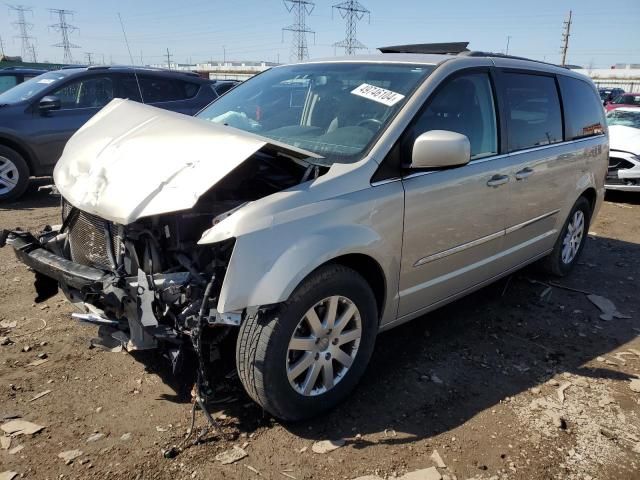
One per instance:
(464, 105)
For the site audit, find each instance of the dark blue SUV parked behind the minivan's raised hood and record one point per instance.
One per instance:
(37, 117)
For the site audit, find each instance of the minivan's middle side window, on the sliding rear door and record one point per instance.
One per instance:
(533, 110)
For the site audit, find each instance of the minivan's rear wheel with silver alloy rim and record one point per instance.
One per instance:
(571, 241)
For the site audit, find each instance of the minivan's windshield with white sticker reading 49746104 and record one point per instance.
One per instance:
(336, 110)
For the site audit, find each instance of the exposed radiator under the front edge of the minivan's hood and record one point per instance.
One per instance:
(93, 241)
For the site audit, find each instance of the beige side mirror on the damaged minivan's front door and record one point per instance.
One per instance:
(439, 149)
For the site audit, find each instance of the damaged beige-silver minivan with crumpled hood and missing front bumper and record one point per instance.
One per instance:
(318, 204)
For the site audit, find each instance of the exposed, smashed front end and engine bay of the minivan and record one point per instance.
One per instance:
(150, 281)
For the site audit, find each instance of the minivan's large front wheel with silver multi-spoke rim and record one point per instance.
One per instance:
(308, 353)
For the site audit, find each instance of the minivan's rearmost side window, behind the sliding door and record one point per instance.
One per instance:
(582, 108)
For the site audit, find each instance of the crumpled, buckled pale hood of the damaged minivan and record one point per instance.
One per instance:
(133, 160)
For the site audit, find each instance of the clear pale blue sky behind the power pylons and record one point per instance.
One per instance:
(603, 33)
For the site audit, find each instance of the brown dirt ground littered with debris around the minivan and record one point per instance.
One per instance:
(517, 381)
